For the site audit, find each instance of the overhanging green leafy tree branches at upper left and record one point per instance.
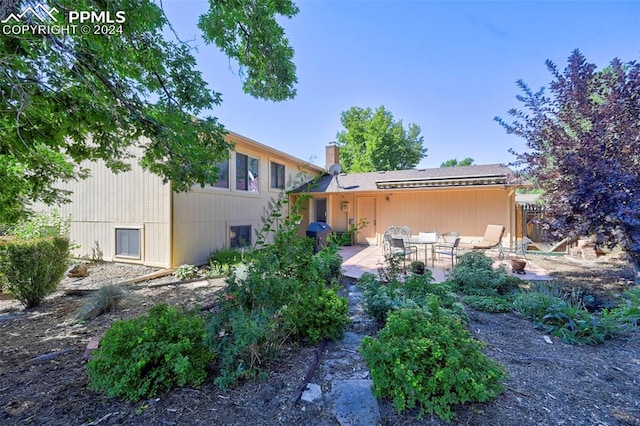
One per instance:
(66, 98)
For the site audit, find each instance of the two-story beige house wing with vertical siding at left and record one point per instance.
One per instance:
(133, 217)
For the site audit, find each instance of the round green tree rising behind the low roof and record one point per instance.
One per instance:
(373, 141)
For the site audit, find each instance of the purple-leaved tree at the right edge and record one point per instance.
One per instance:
(584, 138)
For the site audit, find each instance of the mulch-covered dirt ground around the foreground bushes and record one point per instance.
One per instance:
(43, 381)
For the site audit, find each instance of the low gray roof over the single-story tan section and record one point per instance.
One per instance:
(480, 175)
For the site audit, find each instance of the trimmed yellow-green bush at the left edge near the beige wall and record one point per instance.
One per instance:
(32, 269)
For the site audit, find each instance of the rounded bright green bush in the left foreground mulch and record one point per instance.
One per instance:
(141, 357)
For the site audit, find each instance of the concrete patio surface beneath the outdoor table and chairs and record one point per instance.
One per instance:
(360, 259)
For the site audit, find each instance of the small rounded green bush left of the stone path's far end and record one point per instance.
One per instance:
(317, 313)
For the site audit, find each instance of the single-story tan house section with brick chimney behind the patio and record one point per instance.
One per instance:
(462, 199)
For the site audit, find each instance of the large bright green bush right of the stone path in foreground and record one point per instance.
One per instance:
(427, 358)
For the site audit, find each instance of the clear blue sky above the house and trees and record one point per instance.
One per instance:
(448, 66)
